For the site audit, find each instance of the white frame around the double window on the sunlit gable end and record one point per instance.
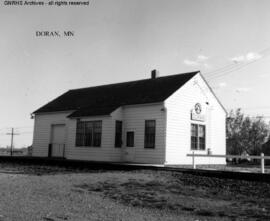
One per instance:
(198, 139)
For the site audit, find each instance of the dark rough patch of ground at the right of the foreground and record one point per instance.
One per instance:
(203, 196)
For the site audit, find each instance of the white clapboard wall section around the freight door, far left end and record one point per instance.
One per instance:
(42, 131)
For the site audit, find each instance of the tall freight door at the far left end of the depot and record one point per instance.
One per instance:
(58, 140)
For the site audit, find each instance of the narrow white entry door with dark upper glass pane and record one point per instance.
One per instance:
(129, 147)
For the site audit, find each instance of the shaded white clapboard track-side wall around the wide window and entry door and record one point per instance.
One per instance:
(133, 117)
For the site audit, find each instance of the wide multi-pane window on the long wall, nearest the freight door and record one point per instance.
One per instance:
(88, 133)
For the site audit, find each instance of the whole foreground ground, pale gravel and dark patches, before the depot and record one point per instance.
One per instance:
(54, 194)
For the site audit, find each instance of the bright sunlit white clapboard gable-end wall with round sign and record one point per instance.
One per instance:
(178, 127)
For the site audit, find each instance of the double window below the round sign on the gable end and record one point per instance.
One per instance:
(197, 137)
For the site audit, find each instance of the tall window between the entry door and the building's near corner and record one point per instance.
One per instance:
(150, 134)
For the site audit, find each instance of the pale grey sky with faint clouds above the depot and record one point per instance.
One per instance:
(123, 40)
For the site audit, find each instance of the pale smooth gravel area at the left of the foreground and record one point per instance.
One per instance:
(55, 197)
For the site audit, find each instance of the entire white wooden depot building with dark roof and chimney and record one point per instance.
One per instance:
(154, 121)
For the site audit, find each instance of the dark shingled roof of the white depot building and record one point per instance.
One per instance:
(102, 100)
